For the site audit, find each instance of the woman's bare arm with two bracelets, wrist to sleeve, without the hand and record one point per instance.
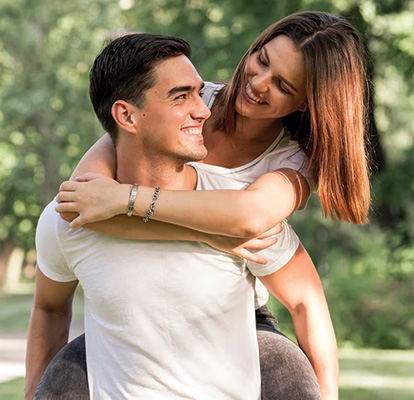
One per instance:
(245, 213)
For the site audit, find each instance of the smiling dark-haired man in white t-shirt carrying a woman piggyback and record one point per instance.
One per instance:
(159, 321)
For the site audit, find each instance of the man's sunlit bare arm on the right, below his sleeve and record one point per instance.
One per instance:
(298, 287)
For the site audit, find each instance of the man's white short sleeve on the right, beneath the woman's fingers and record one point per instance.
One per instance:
(277, 255)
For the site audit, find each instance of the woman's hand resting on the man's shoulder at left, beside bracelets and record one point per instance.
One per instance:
(94, 197)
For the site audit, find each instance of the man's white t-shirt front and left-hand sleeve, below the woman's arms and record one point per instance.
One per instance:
(163, 320)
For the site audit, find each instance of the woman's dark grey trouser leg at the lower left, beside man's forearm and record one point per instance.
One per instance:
(66, 376)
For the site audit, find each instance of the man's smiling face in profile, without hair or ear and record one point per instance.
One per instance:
(171, 121)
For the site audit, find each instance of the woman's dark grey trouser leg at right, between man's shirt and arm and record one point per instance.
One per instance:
(285, 370)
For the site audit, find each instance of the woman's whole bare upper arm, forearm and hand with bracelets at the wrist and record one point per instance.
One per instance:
(239, 213)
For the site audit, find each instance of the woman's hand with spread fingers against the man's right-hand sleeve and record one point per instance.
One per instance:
(242, 247)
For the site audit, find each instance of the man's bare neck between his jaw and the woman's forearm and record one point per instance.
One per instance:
(154, 171)
